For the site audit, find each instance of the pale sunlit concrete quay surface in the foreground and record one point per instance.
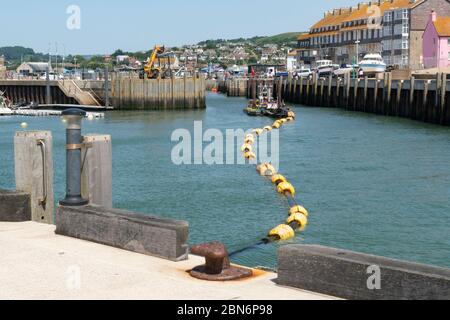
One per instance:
(38, 264)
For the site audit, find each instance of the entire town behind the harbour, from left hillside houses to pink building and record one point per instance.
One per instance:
(405, 37)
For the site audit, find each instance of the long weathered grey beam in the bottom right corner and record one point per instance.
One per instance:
(351, 275)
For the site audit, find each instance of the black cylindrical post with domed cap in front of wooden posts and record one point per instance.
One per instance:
(73, 158)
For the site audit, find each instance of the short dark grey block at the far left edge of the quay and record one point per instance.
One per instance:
(14, 206)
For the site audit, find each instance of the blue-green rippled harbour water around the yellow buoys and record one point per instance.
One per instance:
(373, 184)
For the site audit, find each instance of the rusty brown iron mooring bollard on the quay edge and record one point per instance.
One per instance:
(217, 267)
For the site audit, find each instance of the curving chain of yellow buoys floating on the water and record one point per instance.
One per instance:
(298, 215)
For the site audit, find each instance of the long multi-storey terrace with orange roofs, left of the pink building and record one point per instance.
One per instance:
(393, 28)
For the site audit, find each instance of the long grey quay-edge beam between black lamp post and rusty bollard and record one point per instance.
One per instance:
(139, 233)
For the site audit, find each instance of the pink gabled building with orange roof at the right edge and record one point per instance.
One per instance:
(436, 42)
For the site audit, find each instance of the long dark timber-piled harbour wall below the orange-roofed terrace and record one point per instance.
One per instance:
(422, 100)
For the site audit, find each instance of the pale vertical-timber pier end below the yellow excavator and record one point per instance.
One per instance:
(131, 93)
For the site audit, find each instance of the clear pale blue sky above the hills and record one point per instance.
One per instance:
(106, 25)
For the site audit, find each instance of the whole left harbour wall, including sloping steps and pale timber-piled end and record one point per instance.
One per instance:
(123, 93)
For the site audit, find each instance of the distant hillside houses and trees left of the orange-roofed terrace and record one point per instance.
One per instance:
(234, 55)
